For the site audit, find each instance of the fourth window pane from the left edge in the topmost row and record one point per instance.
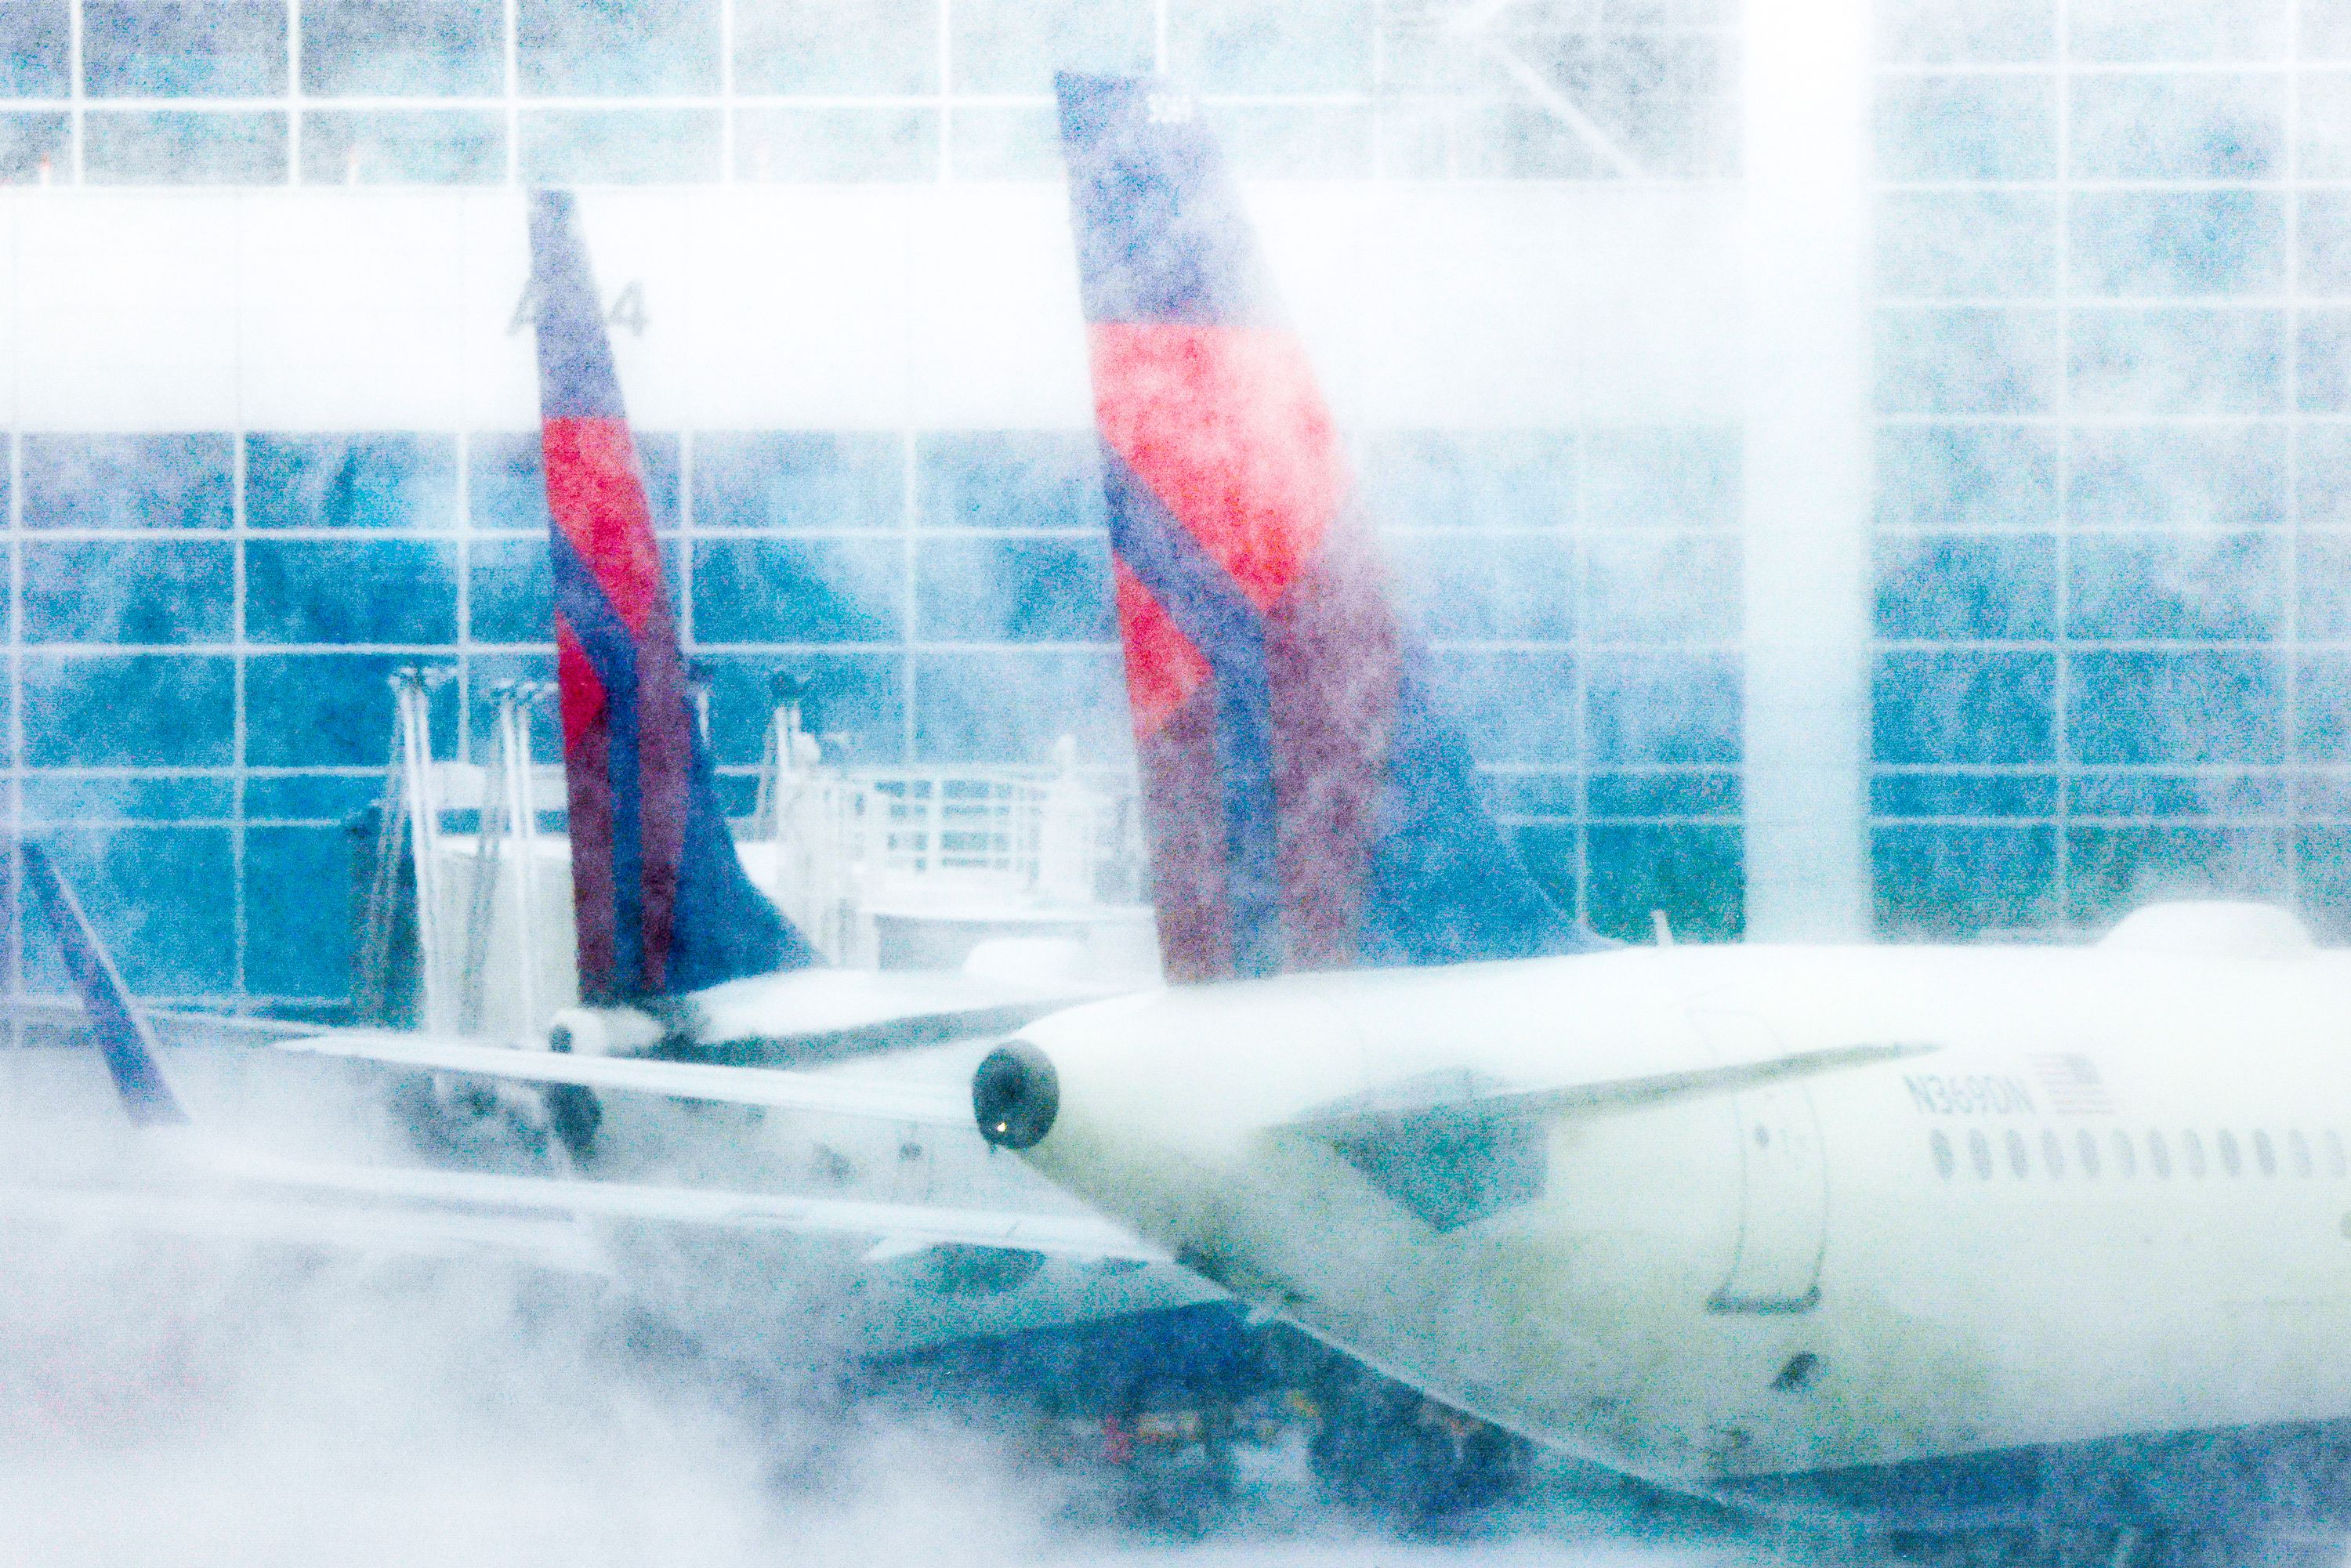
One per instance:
(589, 48)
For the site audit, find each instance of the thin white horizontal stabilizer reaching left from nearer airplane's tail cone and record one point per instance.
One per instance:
(770, 1087)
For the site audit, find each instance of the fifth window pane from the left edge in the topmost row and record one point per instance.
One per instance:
(838, 46)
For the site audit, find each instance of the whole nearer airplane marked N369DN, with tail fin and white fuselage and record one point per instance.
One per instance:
(2044, 1252)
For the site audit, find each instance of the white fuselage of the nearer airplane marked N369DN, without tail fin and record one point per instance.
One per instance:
(2110, 1198)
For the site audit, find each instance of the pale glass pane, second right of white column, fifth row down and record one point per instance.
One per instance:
(2178, 476)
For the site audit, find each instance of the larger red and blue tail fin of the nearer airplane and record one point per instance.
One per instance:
(1308, 805)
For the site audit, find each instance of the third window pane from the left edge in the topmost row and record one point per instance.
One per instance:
(403, 48)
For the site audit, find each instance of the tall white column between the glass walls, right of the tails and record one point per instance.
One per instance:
(1807, 471)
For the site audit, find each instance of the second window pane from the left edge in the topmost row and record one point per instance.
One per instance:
(185, 48)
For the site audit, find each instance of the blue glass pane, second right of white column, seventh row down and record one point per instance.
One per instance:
(2176, 709)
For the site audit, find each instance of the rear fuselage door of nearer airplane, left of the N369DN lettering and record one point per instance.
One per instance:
(1783, 1181)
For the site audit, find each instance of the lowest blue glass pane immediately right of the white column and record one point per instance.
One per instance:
(1960, 883)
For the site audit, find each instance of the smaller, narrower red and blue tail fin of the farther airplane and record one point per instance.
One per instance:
(659, 894)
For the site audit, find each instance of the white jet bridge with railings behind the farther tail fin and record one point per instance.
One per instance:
(464, 913)
